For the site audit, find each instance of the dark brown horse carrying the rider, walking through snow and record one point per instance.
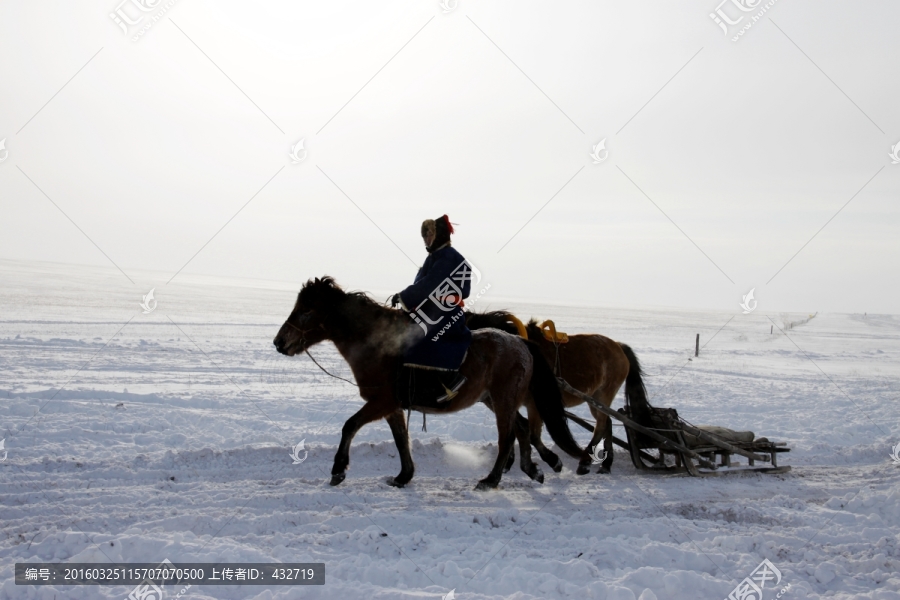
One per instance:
(501, 369)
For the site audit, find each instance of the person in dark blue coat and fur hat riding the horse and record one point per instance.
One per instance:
(435, 303)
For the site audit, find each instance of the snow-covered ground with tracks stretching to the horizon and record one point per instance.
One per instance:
(136, 438)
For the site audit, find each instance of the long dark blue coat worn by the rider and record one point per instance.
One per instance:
(434, 303)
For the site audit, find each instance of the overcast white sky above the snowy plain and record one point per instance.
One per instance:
(485, 113)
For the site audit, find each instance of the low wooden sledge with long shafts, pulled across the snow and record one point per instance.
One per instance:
(710, 454)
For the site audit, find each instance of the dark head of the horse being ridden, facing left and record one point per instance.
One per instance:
(307, 323)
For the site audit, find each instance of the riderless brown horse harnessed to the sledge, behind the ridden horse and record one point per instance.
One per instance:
(592, 364)
